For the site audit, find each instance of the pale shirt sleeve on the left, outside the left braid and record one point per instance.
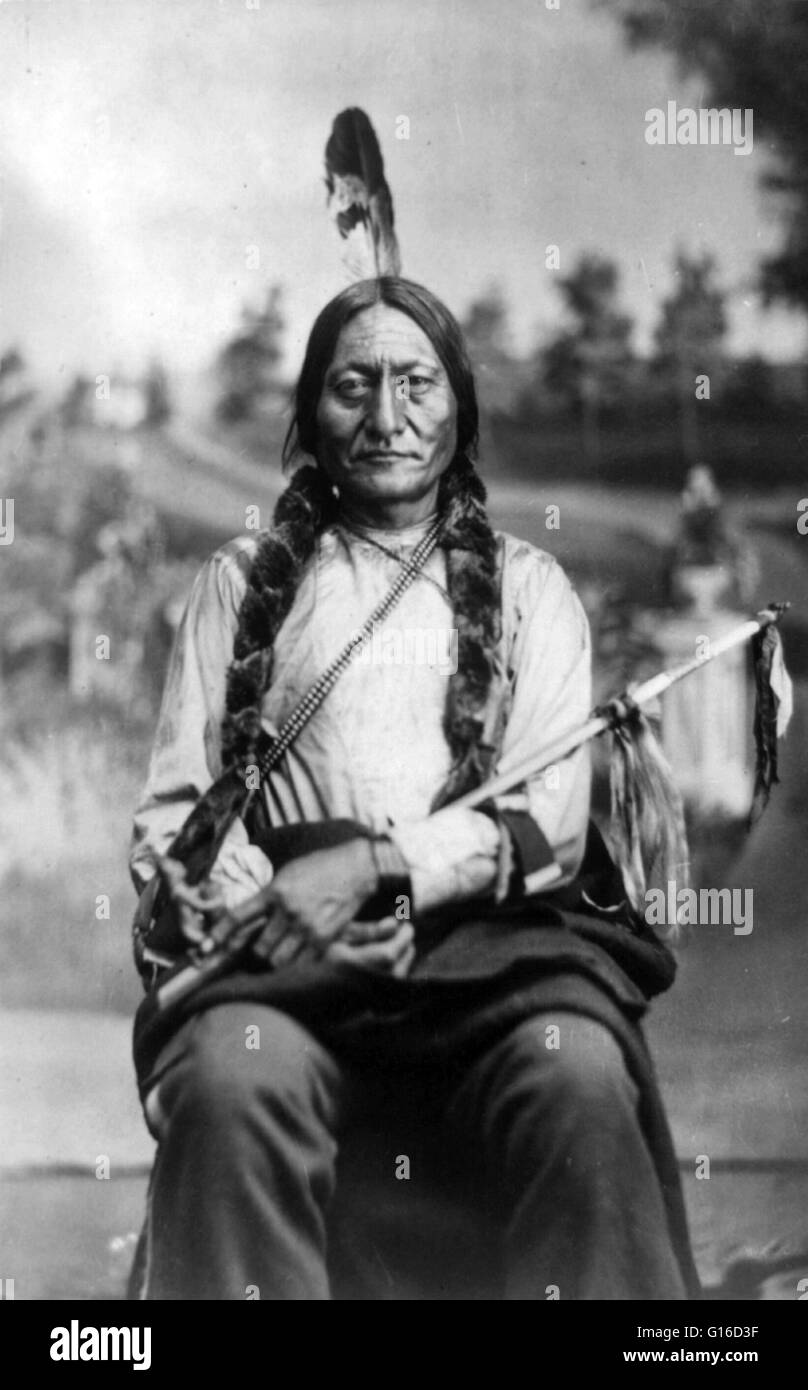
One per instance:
(187, 750)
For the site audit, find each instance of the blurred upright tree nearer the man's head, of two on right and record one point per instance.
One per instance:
(586, 365)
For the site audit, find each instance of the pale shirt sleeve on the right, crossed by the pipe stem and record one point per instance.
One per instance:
(460, 854)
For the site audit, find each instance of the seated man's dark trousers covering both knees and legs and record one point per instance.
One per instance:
(248, 1109)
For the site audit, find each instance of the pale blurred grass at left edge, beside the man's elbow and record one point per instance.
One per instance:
(66, 810)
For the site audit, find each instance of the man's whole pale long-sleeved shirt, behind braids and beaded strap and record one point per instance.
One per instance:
(376, 750)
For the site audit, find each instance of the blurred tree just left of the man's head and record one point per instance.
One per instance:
(248, 366)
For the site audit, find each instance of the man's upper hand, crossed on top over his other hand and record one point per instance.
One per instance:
(312, 900)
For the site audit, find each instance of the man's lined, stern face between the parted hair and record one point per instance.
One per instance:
(387, 415)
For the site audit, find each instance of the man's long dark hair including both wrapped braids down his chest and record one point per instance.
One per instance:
(302, 512)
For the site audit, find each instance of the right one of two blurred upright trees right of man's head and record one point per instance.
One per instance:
(689, 340)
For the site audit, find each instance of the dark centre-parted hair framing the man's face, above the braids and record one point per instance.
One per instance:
(433, 319)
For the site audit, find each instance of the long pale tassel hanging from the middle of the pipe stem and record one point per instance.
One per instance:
(647, 829)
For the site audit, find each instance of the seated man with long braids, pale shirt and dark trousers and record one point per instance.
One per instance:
(507, 1018)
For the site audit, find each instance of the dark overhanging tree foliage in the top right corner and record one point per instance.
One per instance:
(753, 55)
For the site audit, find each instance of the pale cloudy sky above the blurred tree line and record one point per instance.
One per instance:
(148, 147)
